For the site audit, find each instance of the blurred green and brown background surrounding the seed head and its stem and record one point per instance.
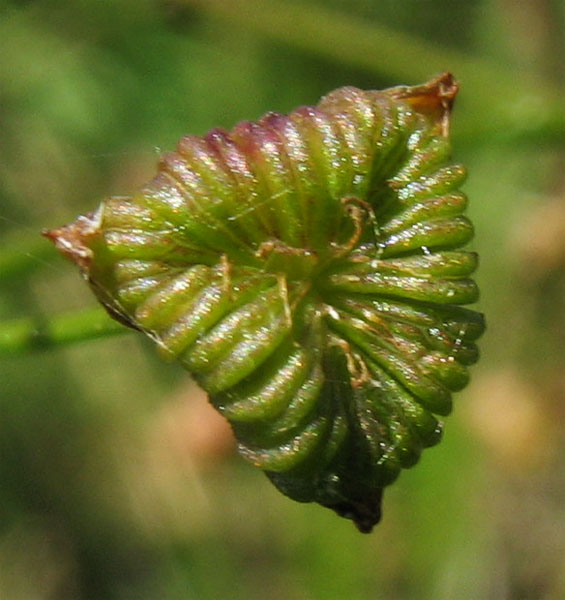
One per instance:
(117, 481)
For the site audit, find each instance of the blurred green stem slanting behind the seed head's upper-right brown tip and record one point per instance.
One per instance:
(503, 102)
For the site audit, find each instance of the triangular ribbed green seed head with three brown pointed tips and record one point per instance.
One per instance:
(306, 270)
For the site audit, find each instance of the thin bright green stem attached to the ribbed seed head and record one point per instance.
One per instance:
(29, 334)
